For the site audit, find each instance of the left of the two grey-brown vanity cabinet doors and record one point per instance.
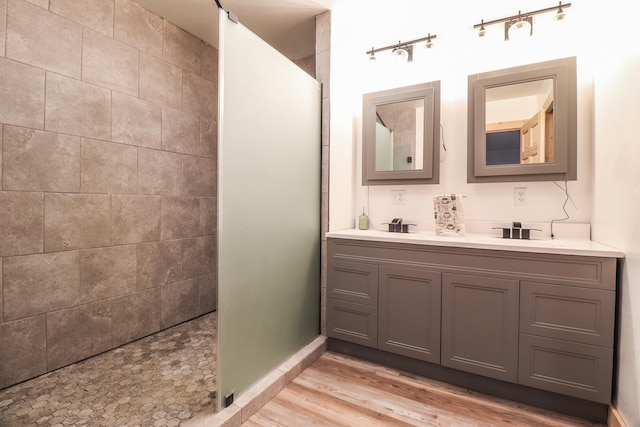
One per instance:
(409, 312)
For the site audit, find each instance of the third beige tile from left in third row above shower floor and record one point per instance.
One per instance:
(135, 219)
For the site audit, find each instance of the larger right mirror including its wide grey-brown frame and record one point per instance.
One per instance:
(522, 123)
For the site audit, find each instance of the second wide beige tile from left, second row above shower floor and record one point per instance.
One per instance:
(107, 272)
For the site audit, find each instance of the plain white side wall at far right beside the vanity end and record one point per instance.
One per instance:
(616, 183)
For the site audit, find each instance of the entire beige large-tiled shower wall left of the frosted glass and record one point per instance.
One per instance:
(108, 180)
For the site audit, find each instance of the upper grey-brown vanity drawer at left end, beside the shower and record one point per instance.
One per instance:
(353, 281)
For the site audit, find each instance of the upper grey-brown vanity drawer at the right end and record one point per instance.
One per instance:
(568, 313)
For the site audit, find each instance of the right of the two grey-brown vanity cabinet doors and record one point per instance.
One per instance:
(480, 325)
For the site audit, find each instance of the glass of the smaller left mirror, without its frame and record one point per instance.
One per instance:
(398, 125)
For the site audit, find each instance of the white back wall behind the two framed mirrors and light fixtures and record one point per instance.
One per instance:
(457, 52)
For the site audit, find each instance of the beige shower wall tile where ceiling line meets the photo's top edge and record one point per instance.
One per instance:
(138, 27)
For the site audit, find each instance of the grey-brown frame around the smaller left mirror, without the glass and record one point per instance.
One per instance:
(430, 173)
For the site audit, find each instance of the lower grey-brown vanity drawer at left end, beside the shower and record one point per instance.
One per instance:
(351, 322)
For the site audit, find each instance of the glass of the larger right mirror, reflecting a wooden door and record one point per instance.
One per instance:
(519, 123)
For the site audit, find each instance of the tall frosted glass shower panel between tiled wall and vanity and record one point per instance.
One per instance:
(269, 209)
